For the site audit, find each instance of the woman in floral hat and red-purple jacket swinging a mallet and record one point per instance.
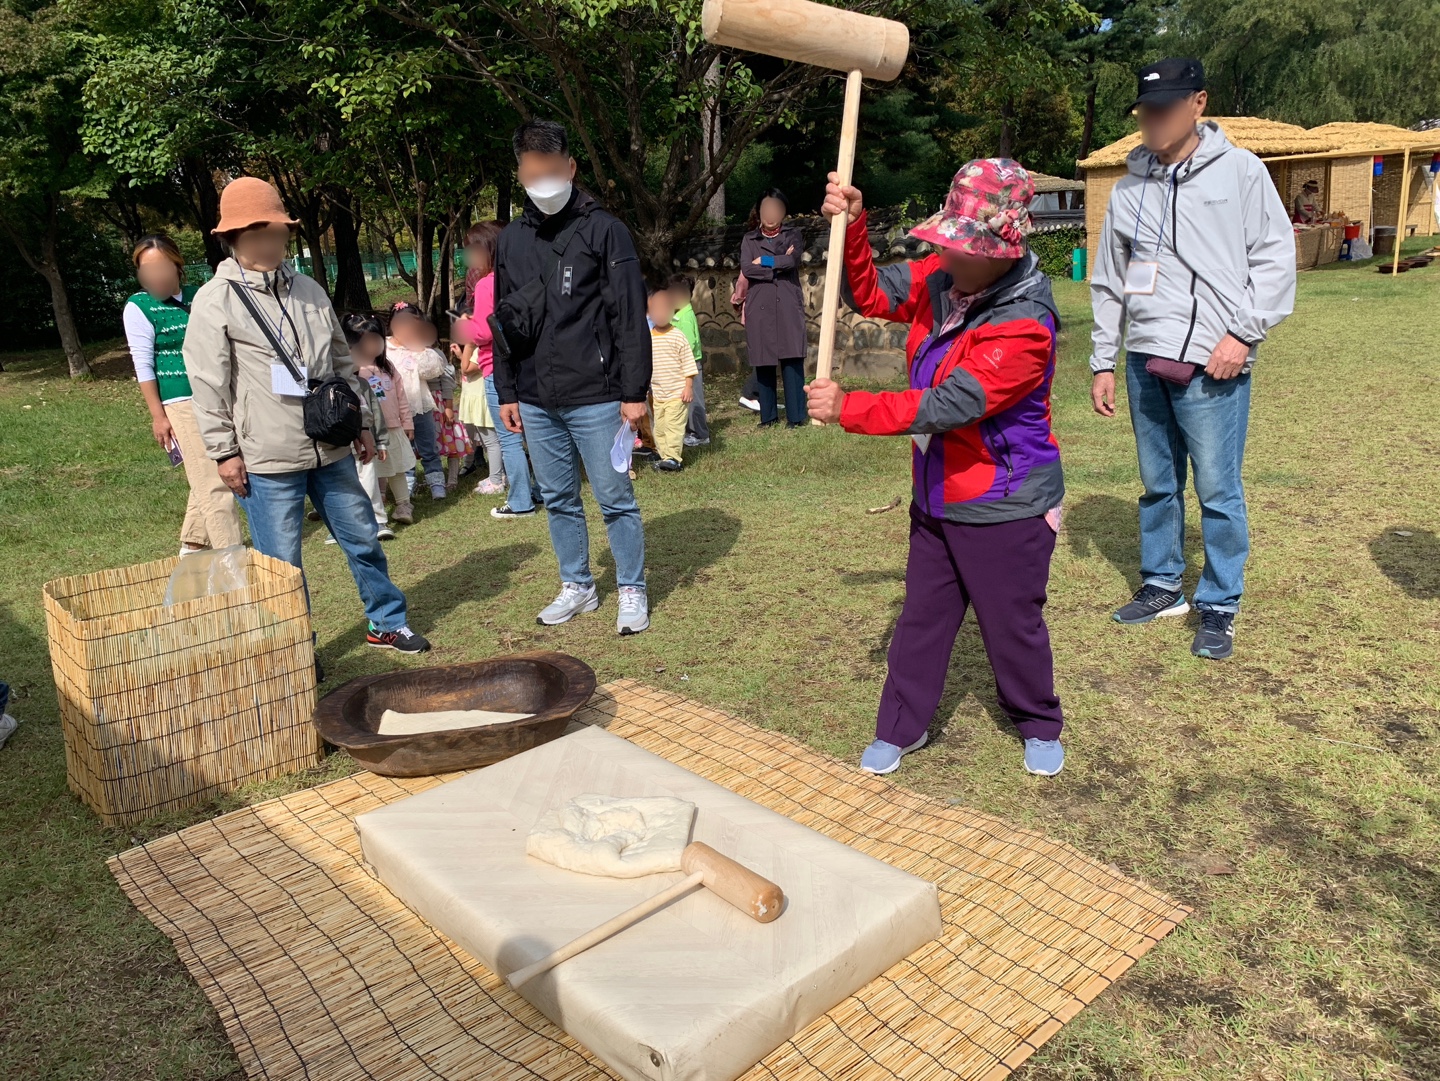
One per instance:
(987, 469)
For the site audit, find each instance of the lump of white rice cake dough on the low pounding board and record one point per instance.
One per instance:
(617, 838)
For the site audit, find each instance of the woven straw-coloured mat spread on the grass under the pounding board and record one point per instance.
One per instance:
(319, 972)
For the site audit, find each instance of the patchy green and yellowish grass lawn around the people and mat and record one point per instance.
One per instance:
(1290, 795)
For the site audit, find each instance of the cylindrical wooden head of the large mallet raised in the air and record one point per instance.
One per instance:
(810, 34)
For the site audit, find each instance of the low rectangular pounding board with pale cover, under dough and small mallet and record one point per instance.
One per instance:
(696, 992)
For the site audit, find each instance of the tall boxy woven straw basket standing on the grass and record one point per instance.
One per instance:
(166, 707)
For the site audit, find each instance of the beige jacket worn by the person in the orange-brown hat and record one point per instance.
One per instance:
(230, 365)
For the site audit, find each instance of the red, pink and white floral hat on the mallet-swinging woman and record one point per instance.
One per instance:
(987, 211)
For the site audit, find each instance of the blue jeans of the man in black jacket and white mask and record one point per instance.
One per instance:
(561, 443)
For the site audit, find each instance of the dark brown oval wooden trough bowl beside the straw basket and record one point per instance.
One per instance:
(549, 686)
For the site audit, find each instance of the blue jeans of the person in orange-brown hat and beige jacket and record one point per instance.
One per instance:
(276, 510)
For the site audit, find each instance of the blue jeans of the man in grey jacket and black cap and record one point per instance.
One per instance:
(1205, 422)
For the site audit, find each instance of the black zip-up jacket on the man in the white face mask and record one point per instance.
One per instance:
(595, 342)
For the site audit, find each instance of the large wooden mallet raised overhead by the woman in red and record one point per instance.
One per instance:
(862, 45)
